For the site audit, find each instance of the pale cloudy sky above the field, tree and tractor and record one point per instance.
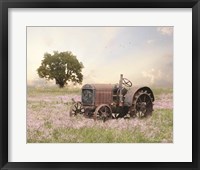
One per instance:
(144, 55)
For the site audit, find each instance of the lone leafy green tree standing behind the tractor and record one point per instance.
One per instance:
(63, 67)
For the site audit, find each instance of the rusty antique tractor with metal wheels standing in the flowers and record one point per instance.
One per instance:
(108, 101)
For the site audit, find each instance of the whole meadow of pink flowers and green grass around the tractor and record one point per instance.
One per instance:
(48, 120)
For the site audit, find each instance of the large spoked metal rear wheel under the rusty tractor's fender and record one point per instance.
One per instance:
(142, 104)
